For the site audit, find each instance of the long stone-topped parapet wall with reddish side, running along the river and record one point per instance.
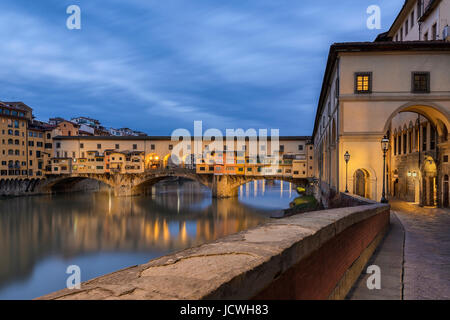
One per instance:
(315, 255)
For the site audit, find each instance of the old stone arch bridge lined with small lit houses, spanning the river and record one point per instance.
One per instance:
(132, 165)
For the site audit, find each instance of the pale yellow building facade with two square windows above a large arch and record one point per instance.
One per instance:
(366, 86)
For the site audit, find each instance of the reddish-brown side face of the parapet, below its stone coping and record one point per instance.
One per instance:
(315, 277)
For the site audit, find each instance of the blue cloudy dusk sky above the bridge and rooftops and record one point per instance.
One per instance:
(156, 65)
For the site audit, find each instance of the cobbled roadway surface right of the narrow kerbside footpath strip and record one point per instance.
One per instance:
(426, 252)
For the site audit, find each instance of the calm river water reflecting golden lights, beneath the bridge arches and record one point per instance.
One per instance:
(41, 236)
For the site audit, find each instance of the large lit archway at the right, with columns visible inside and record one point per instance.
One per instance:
(418, 155)
